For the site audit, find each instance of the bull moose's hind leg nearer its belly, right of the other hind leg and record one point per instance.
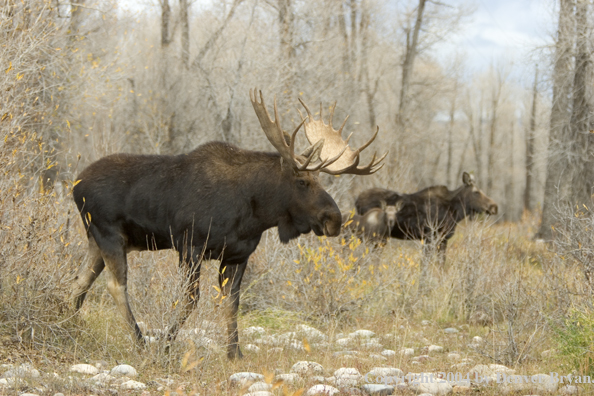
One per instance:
(117, 273)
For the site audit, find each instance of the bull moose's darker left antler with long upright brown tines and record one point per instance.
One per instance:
(277, 137)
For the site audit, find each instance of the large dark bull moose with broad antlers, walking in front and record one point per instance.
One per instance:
(211, 203)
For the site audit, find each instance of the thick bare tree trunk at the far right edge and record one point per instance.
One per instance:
(581, 117)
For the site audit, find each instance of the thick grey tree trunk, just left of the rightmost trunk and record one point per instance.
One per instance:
(557, 162)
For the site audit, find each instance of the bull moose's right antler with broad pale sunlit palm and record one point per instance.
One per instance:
(316, 130)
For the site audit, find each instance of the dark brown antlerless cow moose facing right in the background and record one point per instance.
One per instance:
(432, 213)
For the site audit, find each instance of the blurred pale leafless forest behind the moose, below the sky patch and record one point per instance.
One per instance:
(86, 79)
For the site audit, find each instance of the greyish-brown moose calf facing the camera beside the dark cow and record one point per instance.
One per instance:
(376, 224)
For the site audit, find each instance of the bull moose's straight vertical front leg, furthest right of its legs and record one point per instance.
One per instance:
(230, 276)
